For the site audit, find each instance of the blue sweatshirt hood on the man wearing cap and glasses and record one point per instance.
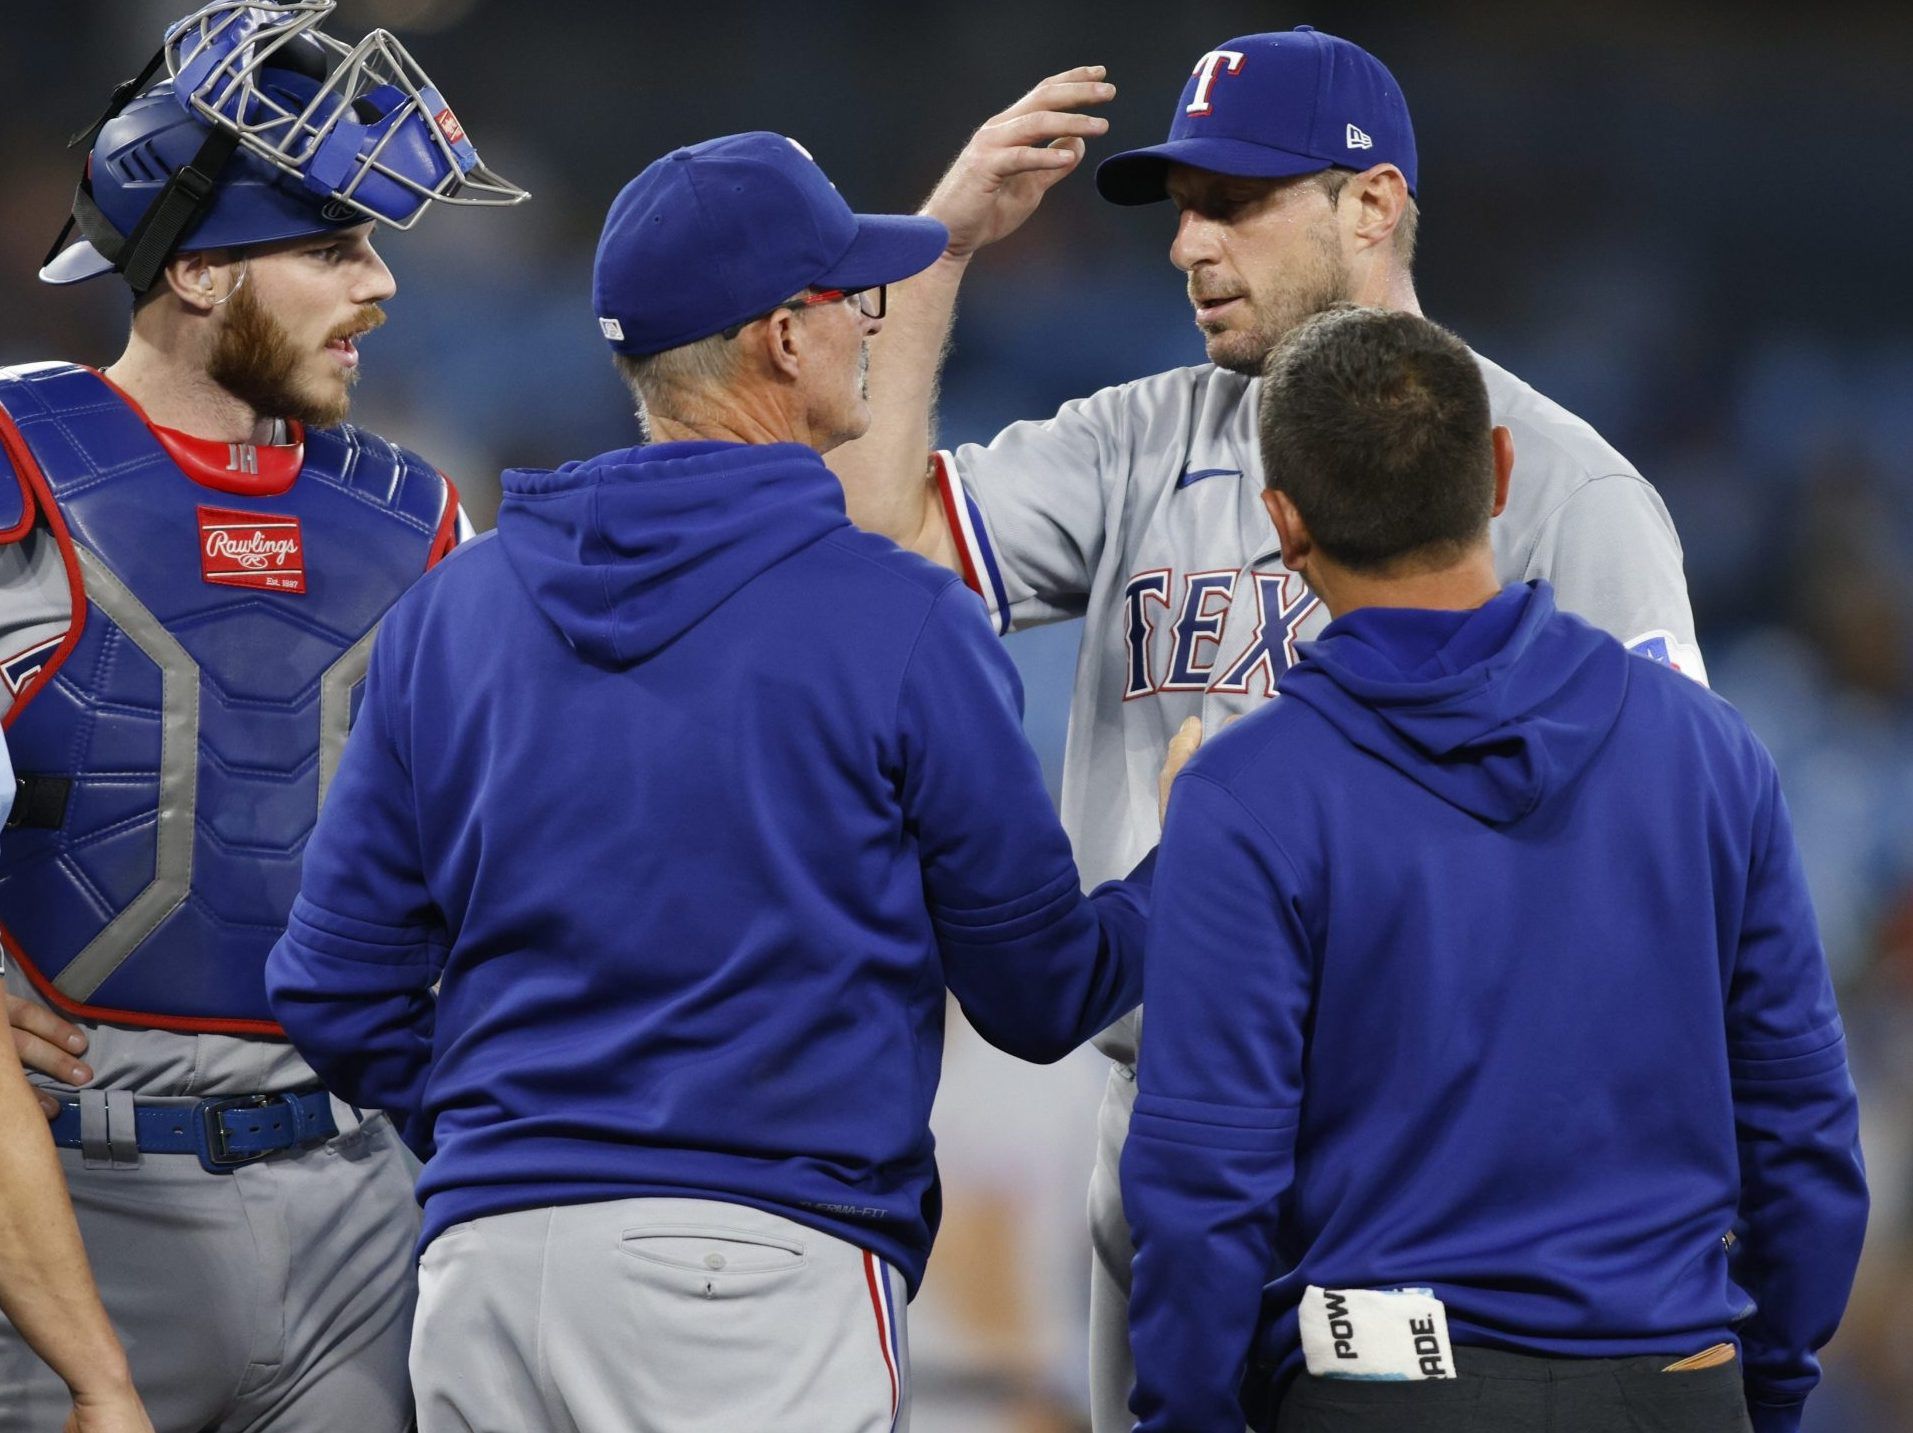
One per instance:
(627, 552)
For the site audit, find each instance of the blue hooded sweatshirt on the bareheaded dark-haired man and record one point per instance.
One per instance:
(1484, 961)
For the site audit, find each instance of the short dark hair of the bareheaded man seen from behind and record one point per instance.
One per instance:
(1376, 426)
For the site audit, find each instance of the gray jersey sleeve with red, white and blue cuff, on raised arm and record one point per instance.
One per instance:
(1030, 510)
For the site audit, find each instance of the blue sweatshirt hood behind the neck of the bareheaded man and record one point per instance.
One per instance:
(1495, 709)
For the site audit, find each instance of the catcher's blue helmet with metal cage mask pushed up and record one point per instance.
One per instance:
(263, 129)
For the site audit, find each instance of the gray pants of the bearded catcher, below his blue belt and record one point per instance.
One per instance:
(276, 1296)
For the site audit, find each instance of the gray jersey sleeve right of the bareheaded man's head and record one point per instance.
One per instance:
(1614, 558)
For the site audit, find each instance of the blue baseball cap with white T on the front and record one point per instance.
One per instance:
(1271, 106)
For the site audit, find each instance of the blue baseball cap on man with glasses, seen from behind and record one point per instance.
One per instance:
(726, 231)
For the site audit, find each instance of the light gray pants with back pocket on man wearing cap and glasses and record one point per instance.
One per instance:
(657, 1317)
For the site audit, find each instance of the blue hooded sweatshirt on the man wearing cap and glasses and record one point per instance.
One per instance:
(695, 799)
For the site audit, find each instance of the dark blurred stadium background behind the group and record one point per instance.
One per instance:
(1686, 223)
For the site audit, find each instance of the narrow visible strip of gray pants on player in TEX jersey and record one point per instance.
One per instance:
(1112, 1371)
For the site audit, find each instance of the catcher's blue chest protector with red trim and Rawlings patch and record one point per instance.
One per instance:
(179, 741)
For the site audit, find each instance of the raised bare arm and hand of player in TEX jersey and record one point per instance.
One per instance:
(996, 185)
